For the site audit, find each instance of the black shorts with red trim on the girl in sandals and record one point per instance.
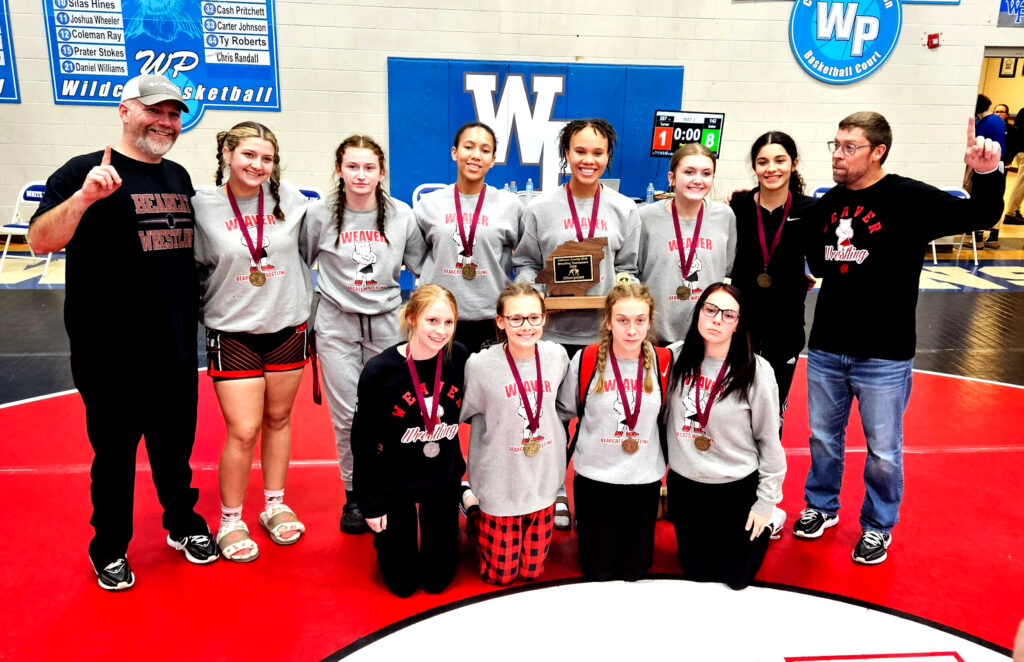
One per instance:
(239, 356)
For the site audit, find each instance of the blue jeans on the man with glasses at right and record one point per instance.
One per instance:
(883, 391)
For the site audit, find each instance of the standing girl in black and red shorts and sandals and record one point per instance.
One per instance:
(257, 292)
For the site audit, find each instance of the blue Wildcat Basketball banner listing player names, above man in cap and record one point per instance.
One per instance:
(222, 55)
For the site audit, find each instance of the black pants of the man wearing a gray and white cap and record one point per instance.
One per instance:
(122, 406)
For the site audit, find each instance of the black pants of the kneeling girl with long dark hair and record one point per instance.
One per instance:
(709, 520)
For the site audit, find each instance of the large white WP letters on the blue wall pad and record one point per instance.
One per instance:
(536, 132)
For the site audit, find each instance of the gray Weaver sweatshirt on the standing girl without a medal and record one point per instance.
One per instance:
(359, 270)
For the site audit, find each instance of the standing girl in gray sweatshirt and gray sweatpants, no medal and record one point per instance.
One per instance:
(362, 238)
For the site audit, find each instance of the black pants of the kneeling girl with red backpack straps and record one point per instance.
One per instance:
(616, 528)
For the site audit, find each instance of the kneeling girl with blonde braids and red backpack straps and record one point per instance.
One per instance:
(619, 457)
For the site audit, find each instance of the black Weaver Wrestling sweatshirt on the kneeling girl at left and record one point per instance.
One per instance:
(396, 458)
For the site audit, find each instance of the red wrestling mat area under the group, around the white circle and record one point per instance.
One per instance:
(956, 560)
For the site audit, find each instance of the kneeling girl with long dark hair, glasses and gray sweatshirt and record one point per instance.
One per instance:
(726, 460)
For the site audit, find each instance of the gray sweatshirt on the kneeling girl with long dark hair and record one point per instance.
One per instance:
(744, 434)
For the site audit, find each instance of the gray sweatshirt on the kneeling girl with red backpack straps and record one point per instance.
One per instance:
(600, 456)
